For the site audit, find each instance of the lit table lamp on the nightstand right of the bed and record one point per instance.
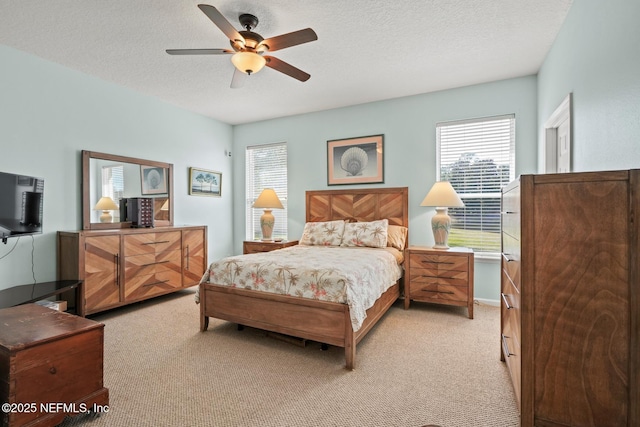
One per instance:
(442, 196)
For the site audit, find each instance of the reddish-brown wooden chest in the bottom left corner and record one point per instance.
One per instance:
(51, 365)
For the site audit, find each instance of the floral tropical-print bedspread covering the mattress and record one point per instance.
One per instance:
(354, 275)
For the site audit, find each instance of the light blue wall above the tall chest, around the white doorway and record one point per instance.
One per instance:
(596, 56)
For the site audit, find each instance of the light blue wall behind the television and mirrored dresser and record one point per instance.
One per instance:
(49, 113)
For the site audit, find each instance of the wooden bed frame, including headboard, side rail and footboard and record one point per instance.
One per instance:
(321, 321)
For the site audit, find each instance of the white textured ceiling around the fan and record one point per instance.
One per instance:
(366, 50)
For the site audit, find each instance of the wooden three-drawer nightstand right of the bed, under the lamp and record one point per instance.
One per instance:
(439, 276)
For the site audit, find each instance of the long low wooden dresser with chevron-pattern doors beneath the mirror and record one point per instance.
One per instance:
(122, 266)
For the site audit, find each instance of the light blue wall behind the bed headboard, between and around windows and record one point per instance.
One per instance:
(408, 125)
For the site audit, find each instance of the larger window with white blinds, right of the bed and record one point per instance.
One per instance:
(478, 157)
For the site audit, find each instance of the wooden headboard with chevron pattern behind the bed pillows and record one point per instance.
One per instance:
(361, 204)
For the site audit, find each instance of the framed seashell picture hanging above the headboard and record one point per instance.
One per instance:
(355, 160)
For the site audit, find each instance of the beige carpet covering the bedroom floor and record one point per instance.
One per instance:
(427, 365)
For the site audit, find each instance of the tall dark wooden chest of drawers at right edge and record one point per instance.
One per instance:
(571, 297)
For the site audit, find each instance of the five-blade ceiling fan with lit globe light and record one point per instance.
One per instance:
(249, 48)
